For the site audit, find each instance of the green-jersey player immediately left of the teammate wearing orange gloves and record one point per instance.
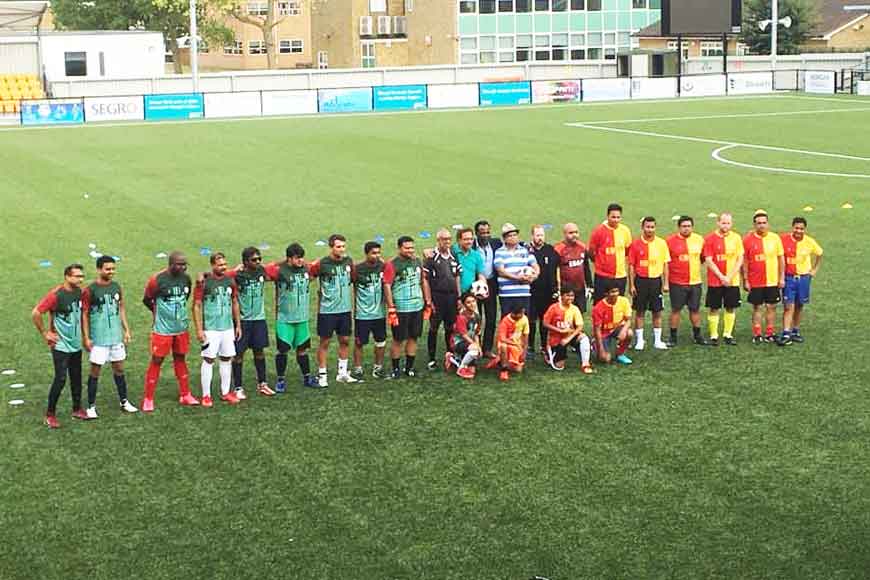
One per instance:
(370, 316)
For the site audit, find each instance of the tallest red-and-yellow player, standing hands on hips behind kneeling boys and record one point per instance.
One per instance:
(608, 249)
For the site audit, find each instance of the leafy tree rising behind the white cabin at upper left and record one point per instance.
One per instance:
(171, 17)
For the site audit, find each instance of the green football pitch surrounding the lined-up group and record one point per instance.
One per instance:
(743, 462)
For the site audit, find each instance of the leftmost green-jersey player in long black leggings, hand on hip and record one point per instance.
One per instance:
(64, 337)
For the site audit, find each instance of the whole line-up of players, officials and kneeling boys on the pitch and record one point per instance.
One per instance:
(492, 296)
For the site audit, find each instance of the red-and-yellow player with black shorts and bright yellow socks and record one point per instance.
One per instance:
(723, 254)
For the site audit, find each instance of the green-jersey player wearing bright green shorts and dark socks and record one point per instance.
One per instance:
(292, 310)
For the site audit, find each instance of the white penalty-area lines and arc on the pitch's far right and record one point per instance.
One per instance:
(727, 145)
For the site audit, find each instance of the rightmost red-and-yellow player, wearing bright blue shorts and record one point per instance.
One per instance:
(800, 269)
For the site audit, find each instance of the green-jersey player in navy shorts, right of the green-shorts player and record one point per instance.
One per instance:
(335, 274)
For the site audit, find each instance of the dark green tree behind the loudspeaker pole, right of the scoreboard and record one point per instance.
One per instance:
(804, 18)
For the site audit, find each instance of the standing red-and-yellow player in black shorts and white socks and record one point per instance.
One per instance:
(648, 280)
